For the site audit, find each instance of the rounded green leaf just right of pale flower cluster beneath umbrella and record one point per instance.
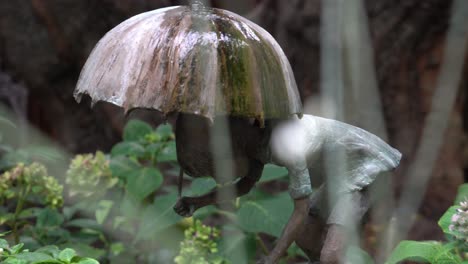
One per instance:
(143, 182)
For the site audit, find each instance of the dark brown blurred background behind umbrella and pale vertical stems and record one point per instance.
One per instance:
(44, 44)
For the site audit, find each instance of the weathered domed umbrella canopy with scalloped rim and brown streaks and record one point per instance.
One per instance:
(192, 59)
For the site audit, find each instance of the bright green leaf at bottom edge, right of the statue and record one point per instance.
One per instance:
(425, 252)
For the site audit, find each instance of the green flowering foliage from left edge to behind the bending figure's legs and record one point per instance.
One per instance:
(119, 208)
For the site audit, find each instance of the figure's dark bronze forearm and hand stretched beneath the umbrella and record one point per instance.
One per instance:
(187, 205)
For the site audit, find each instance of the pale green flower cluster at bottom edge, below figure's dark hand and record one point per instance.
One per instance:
(200, 245)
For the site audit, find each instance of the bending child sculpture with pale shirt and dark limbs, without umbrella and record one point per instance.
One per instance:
(311, 148)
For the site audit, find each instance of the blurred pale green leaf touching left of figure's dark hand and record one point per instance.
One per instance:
(158, 216)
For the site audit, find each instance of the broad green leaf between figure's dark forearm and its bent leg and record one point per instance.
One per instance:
(268, 216)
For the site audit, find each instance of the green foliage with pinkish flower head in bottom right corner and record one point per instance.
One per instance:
(454, 223)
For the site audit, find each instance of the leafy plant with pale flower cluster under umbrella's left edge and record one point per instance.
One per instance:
(122, 193)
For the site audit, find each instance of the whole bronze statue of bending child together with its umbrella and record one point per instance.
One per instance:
(206, 63)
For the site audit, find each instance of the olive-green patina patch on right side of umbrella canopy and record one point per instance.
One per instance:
(247, 63)
